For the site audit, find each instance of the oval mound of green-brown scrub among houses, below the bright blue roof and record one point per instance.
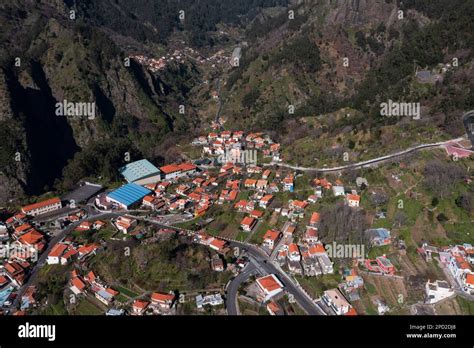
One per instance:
(168, 265)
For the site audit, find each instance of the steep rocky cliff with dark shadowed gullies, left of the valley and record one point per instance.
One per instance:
(47, 59)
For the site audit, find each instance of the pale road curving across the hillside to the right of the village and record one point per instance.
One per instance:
(368, 162)
